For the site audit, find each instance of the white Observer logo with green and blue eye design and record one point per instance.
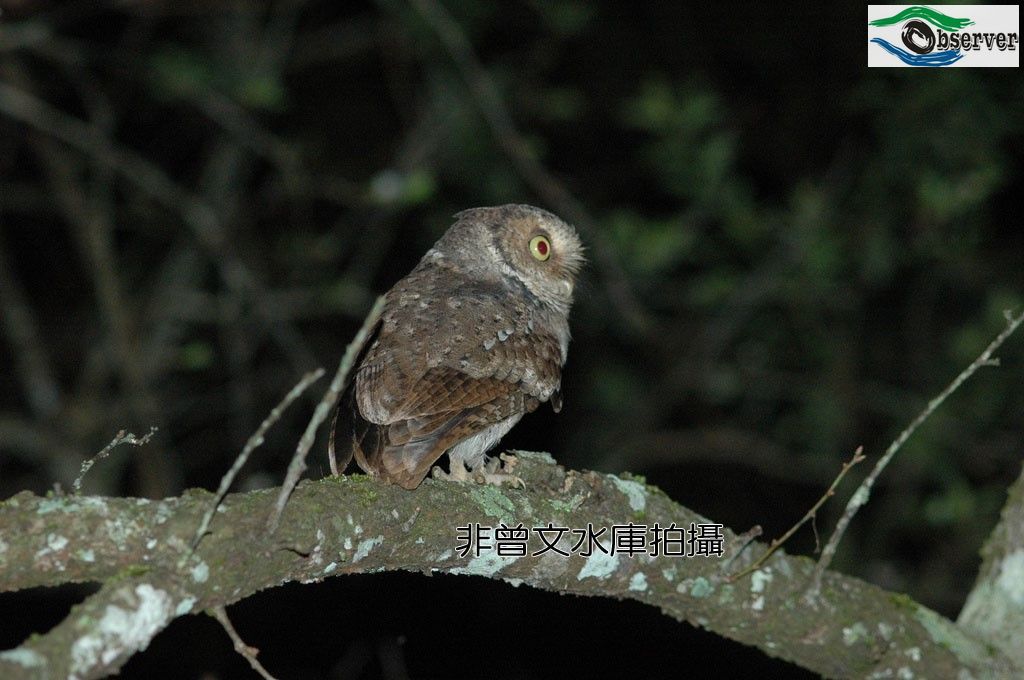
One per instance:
(944, 36)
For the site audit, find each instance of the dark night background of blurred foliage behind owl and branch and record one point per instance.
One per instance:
(791, 254)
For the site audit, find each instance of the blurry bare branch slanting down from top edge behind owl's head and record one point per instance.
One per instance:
(548, 187)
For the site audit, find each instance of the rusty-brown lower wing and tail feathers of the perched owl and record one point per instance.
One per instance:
(445, 407)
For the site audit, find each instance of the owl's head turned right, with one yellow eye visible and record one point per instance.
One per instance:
(533, 247)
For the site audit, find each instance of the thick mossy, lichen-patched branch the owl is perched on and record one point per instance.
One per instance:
(858, 630)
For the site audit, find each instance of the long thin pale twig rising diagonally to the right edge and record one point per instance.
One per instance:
(863, 494)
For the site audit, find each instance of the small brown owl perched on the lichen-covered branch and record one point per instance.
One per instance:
(474, 338)
